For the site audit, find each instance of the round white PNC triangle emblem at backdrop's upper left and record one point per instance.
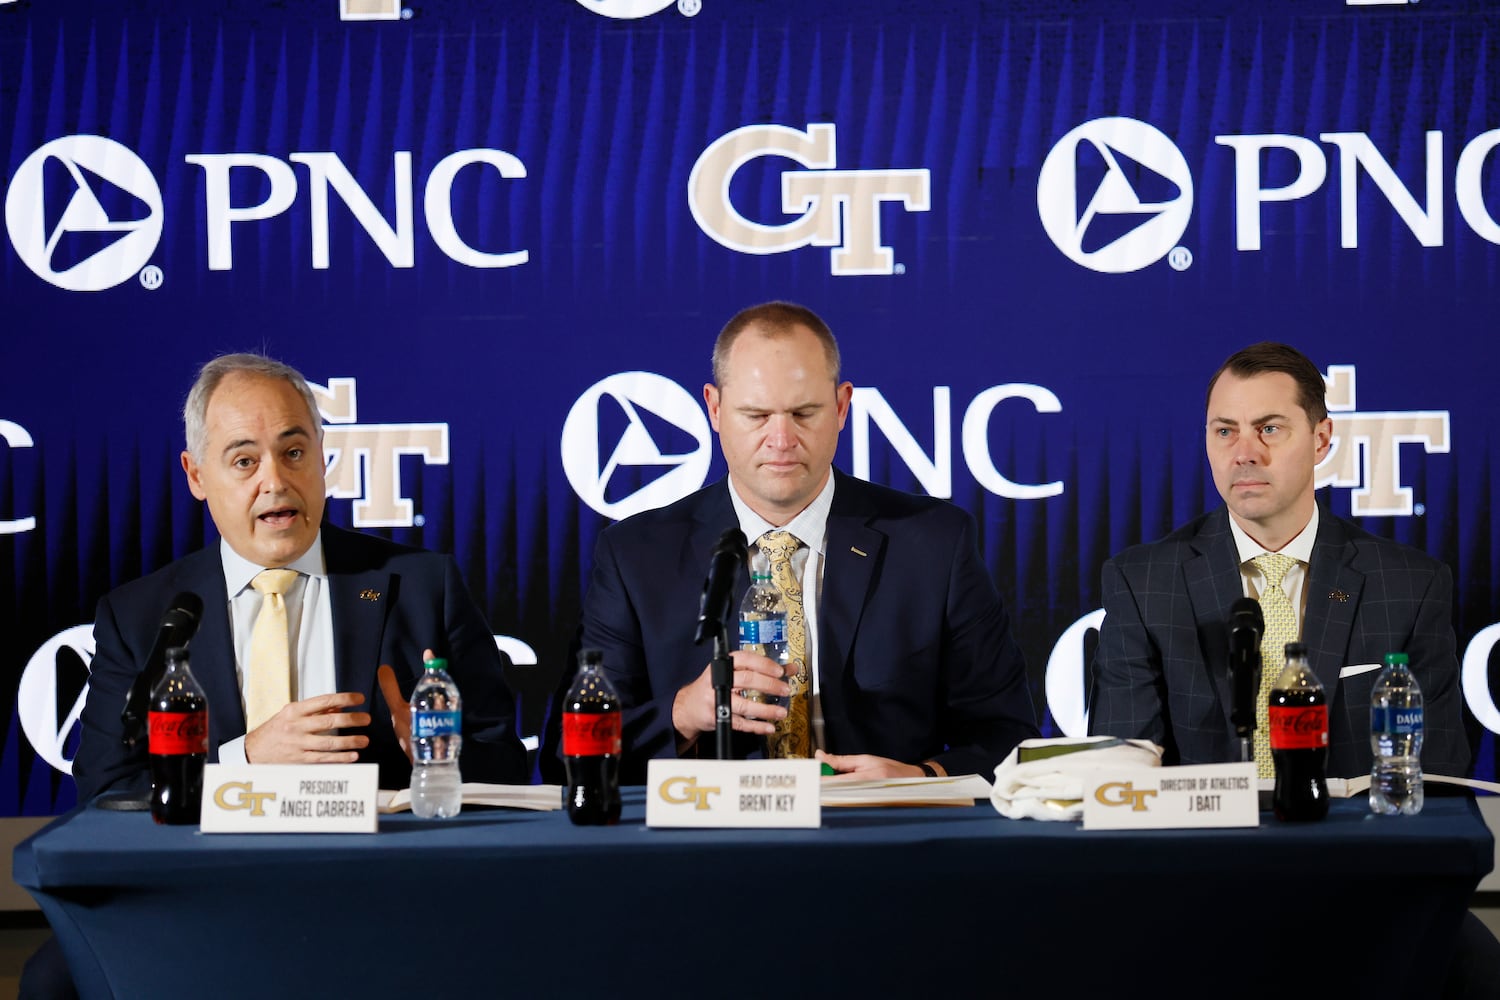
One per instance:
(86, 247)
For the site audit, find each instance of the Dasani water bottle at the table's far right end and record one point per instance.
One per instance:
(1396, 740)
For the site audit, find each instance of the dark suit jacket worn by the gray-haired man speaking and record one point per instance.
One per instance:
(421, 603)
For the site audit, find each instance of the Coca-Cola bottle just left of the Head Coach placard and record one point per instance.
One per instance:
(592, 744)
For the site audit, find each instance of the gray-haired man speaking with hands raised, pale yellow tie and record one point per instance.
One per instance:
(298, 615)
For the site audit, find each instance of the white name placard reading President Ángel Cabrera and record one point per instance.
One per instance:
(290, 798)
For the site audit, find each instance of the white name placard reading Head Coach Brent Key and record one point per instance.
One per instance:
(770, 794)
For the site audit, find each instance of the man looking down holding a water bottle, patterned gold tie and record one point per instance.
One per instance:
(902, 656)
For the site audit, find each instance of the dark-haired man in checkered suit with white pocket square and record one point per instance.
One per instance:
(1162, 668)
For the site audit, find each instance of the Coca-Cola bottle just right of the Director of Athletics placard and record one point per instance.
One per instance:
(1298, 716)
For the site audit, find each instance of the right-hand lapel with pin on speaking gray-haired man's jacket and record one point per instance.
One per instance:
(359, 599)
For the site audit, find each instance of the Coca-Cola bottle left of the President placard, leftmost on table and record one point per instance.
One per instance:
(178, 723)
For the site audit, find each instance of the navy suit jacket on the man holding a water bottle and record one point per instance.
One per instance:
(916, 657)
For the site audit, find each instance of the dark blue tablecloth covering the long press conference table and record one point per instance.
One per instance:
(926, 902)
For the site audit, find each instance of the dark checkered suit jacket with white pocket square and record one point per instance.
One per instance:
(1162, 668)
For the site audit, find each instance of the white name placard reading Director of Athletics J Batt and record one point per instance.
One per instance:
(1166, 798)
